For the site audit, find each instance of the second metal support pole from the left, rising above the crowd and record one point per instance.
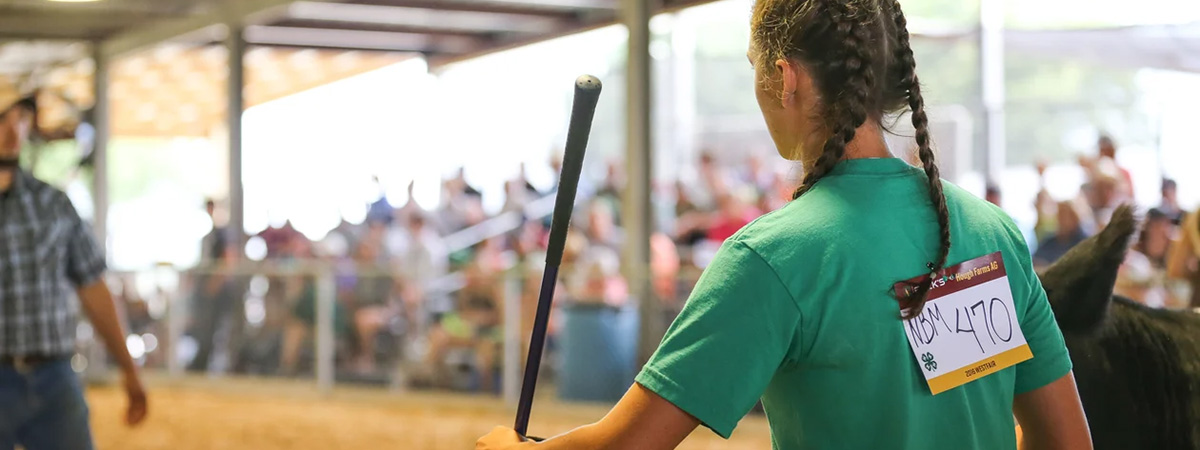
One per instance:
(237, 45)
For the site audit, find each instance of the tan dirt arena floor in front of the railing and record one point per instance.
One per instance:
(194, 415)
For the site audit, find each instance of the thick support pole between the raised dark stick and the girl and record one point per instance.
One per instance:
(638, 214)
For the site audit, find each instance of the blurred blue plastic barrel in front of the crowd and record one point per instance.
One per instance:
(598, 352)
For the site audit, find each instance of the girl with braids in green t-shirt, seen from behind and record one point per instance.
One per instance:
(795, 309)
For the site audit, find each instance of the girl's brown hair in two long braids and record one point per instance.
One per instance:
(860, 58)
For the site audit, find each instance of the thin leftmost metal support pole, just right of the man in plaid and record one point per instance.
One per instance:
(100, 148)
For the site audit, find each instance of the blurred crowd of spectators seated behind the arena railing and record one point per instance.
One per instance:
(419, 295)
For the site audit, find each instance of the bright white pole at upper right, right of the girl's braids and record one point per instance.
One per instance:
(992, 58)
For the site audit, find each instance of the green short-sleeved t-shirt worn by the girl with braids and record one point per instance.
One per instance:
(797, 309)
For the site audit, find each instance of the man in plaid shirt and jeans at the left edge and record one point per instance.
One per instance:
(45, 249)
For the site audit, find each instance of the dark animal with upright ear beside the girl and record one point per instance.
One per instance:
(1138, 369)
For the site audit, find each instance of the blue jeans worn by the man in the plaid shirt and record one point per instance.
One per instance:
(44, 410)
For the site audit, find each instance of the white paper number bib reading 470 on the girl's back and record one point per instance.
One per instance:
(969, 329)
